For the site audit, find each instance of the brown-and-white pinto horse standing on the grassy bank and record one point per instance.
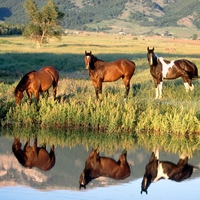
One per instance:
(163, 69)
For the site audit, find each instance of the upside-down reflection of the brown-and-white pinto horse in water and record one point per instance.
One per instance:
(156, 170)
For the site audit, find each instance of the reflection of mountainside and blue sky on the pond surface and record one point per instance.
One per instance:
(61, 182)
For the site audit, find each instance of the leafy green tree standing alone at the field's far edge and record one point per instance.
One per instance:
(43, 24)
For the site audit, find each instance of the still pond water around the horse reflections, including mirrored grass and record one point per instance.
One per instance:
(62, 180)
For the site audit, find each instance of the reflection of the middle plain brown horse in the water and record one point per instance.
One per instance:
(96, 166)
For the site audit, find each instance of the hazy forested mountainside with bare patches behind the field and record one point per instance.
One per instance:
(104, 15)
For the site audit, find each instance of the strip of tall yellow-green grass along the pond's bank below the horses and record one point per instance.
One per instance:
(113, 115)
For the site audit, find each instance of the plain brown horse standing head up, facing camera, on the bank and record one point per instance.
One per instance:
(100, 71)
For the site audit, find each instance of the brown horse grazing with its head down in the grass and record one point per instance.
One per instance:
(37, 81)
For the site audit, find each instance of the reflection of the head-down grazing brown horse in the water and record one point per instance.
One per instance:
(33, 156)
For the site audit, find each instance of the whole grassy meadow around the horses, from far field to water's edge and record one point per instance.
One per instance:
(177, 114)
